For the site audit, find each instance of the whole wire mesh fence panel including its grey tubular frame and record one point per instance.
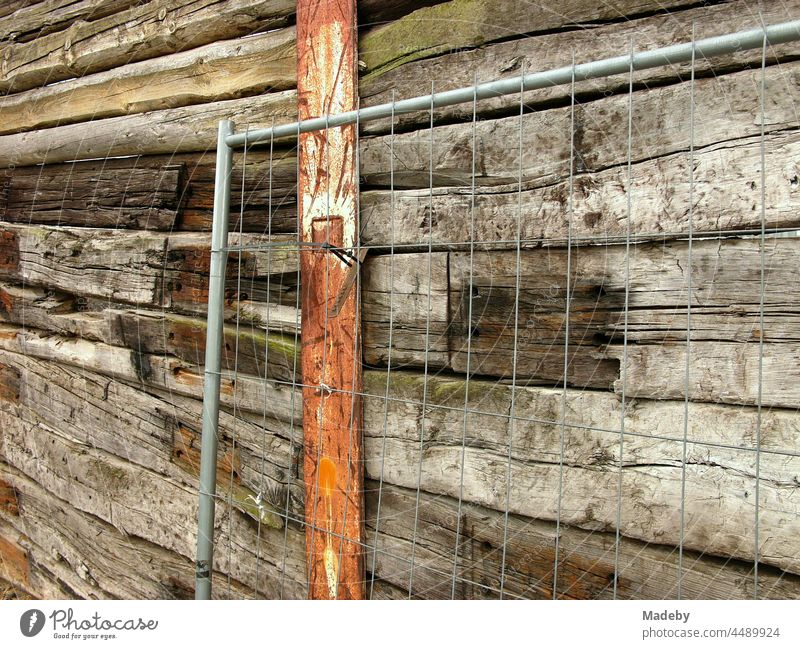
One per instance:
(578, 331)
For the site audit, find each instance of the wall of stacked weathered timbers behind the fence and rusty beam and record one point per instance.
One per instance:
(103, 283)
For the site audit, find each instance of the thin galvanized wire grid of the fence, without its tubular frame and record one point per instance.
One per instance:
(278, 552)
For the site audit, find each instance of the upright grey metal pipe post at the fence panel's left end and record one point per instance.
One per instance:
(216, 286)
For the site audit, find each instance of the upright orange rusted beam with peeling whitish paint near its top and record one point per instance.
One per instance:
(328, 186)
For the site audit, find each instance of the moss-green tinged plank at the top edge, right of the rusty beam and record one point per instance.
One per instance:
(464, 24)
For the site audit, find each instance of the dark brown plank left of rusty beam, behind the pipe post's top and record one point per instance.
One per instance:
(270, 188)
